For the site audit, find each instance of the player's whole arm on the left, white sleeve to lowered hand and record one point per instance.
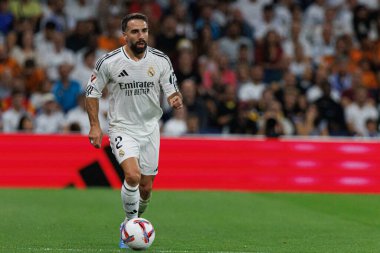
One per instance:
(94, 89)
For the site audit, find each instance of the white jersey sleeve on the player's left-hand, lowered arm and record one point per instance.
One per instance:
(97, 82)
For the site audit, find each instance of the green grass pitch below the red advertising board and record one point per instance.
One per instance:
(191, 221)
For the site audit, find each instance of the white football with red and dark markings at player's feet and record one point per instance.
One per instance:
(138, 234)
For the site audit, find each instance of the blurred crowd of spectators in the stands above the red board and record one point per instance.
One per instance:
(248, 67)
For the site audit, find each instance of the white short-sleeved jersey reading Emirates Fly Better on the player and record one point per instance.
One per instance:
(134, 88)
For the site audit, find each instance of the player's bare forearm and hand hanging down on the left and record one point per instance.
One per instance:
(96, 134)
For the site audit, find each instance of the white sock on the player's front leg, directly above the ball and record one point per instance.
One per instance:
(130, 198)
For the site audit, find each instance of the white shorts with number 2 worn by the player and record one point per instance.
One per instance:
(145, 149)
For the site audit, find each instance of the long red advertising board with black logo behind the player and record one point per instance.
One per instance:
(291, 165)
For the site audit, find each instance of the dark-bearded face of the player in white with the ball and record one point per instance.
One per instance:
(136, 35)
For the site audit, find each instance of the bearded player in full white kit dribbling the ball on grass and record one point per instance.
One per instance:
(134, 75)
